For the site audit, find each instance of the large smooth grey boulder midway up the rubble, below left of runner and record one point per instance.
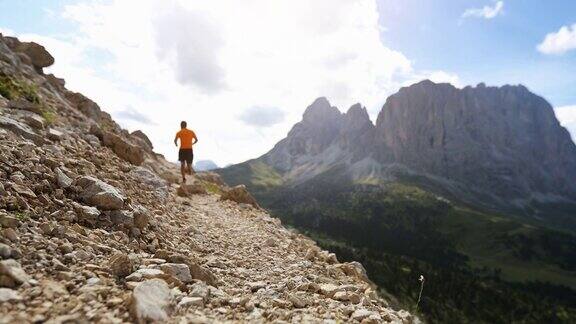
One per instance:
(99, 194)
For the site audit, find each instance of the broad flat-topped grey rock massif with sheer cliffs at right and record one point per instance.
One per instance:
(503, 141)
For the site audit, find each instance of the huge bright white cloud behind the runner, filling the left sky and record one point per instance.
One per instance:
(205, 61)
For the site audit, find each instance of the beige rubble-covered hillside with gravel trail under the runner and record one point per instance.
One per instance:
(95, 228)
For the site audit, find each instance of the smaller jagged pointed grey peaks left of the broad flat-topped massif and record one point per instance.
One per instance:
(323, 139)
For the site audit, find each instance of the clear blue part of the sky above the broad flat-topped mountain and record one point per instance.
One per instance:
(496, 51)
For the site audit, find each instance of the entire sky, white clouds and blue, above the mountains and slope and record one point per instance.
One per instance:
(254, 66)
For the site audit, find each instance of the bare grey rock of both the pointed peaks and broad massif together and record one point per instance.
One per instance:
(496, 147)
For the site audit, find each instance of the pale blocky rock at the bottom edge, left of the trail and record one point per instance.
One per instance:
(150, 301)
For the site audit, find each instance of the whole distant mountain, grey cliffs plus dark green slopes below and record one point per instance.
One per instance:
(471, 186)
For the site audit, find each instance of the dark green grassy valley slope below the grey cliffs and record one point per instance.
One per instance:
(517, 250)
